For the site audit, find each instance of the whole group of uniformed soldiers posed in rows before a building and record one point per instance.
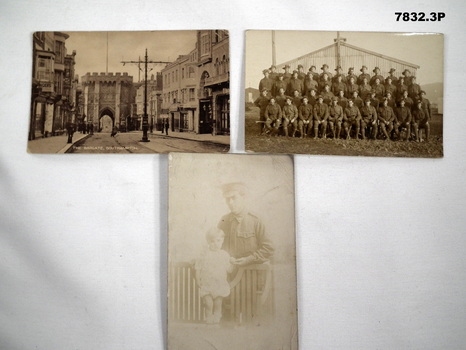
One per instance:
(361, 104)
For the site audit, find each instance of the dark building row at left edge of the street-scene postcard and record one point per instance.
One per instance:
(52, 84)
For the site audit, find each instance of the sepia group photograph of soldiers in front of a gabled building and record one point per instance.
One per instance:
(344, 93)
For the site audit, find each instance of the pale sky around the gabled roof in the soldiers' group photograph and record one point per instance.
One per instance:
(424, 50)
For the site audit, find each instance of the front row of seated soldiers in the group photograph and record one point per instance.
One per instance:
(370, 117)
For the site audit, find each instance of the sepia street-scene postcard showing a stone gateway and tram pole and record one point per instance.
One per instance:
(130, 92)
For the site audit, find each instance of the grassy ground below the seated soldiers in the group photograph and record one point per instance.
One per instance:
(373, 148)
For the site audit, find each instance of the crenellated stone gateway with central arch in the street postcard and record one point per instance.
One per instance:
(107, 100)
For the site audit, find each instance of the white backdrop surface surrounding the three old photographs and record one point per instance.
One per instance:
(381, 241)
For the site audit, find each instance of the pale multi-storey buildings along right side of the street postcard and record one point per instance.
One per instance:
(196, 95)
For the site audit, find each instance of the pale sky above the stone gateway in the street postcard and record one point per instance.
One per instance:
(91, 49)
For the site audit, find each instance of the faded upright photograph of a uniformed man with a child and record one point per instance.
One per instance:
(231, 253)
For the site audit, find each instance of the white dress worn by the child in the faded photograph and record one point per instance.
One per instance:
(213, 270)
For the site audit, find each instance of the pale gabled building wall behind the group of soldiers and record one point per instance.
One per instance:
(347, 55)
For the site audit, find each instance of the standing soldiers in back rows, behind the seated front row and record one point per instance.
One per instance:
(327, 82)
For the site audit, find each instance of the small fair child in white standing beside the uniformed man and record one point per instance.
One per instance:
(211, 275)
